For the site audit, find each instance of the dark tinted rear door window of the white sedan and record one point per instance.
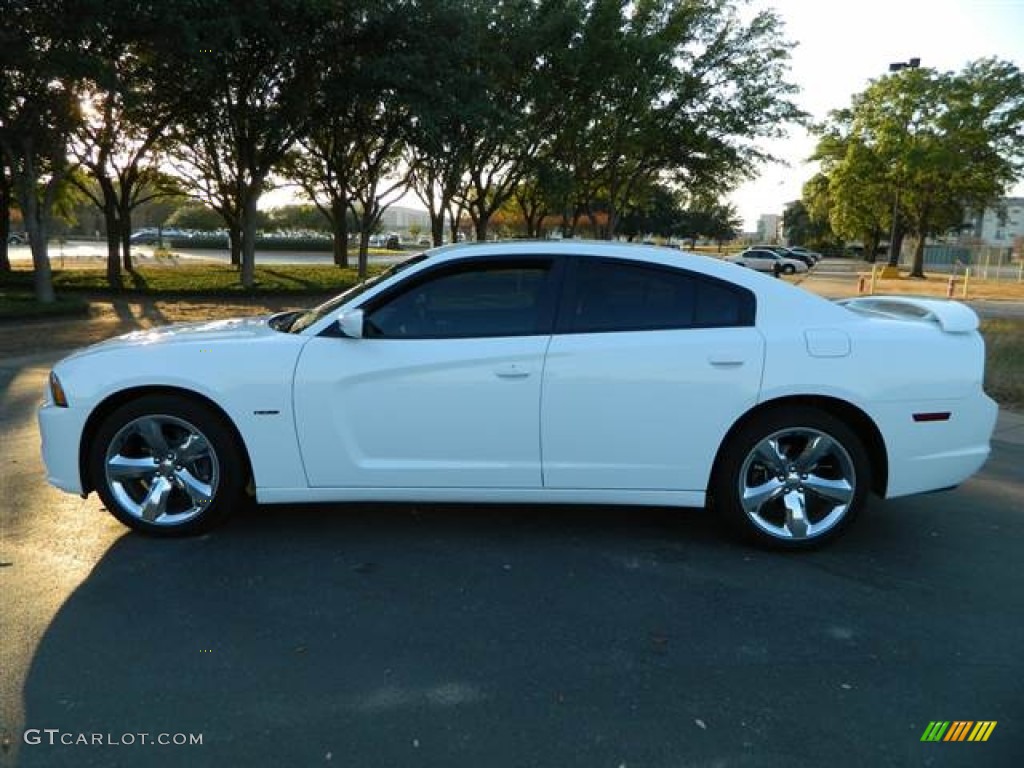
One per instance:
(608, 295)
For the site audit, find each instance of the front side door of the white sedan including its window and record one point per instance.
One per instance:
(443, 391)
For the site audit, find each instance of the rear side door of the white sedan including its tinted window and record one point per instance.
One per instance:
(648, 370)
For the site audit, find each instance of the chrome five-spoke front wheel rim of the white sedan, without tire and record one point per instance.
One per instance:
(162, 471)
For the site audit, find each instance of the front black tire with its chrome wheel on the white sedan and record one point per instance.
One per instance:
(195, 485)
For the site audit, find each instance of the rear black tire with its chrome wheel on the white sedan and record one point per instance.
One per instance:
(792, 478)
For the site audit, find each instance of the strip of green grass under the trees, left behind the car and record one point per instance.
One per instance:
(196, 280)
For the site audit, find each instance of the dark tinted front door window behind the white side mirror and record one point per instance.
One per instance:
(489, 300)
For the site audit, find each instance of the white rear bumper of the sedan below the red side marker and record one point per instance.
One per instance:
(934, 455)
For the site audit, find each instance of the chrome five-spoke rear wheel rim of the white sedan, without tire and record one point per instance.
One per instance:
(797, 484)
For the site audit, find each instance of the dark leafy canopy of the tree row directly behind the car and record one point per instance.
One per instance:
(574, 109)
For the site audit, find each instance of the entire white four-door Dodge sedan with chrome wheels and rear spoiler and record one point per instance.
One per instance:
(576, 373)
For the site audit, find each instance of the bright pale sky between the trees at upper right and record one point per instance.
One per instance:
(843, 45)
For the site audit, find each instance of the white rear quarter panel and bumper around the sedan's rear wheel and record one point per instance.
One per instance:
(894, 370)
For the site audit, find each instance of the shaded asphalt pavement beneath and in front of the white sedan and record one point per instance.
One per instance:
(513, 636)
